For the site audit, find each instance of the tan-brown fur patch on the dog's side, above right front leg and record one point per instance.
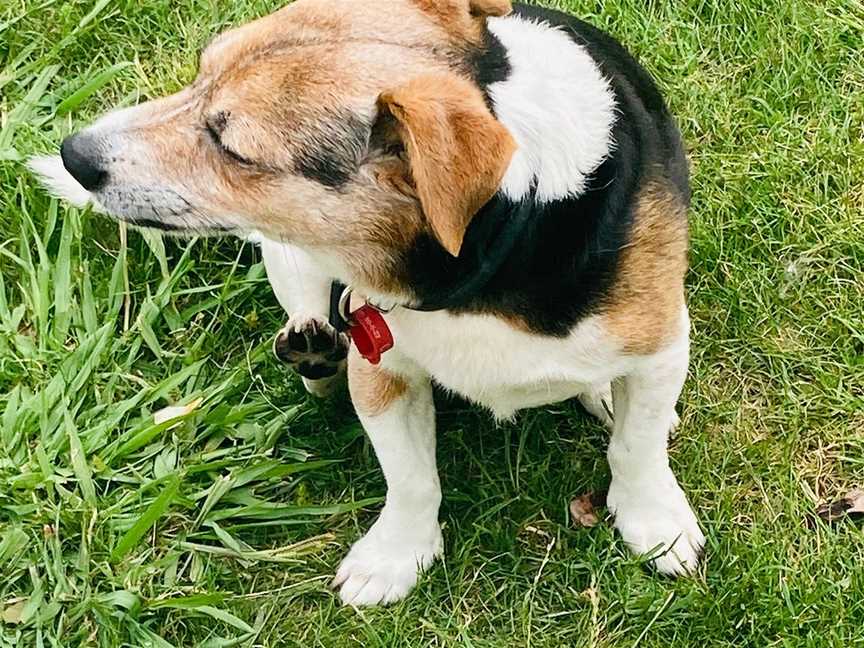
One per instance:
(644, 309)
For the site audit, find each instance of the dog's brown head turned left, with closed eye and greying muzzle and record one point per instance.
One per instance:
(346, 125)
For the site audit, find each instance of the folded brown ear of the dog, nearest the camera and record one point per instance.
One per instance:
(457, 151)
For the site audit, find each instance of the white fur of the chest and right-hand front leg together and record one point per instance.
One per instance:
(505, 369)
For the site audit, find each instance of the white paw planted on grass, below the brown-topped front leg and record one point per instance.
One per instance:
(382, 569)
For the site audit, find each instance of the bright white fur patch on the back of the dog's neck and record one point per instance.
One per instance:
(556, 104)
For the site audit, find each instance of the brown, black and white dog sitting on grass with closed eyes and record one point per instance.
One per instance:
(499, 195)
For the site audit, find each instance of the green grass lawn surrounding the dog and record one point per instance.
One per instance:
(222, 527)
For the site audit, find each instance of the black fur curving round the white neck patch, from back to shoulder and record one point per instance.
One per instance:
(564, 263)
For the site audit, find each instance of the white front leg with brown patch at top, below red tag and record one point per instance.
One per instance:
(398, 414)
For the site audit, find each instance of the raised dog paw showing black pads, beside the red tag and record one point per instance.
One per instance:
(314, 349)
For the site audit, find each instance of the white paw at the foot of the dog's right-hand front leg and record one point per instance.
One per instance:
(656, 519)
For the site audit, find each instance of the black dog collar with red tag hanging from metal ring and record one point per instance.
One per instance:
(489, 242)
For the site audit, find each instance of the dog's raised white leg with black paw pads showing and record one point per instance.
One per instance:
(308, 343)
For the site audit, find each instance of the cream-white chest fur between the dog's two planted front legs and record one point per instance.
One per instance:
(499, 366)
